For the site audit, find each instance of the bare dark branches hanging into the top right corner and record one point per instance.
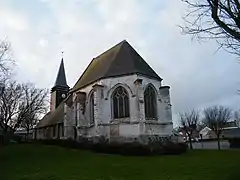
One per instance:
(214, 19)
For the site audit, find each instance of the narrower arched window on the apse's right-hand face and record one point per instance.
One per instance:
(150, 103)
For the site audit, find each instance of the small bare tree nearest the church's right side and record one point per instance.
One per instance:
(188, 122)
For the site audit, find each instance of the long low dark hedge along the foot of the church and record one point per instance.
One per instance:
(130, 148)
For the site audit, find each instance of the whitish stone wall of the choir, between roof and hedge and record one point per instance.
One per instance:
(136, 124)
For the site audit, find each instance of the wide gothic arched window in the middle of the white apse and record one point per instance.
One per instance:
(120, 102)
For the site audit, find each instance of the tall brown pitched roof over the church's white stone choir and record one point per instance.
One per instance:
(121, 59)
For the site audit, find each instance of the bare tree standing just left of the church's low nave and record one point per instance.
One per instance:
(32, 105)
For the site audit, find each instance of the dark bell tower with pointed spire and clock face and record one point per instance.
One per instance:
(60, 89)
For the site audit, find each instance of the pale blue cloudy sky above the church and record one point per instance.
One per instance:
(39, 30)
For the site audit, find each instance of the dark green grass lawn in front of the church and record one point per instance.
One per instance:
(36, 162)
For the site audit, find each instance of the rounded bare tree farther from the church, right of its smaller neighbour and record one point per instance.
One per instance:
(216, 118)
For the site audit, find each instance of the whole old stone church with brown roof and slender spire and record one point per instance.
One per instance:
(118, 96)
